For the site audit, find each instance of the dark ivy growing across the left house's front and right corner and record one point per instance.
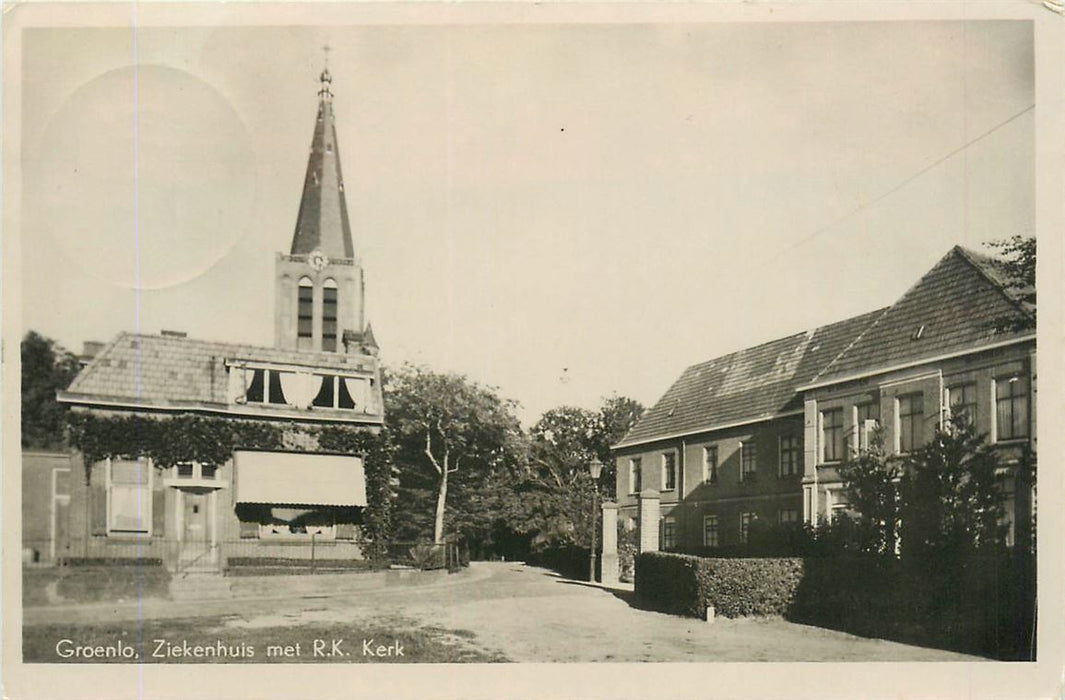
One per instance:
(211, 441)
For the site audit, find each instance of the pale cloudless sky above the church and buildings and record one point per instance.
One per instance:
(562, 211)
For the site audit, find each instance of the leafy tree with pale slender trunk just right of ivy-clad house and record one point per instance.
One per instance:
(450, 432)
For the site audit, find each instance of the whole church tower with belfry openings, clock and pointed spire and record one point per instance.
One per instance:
(319, 285)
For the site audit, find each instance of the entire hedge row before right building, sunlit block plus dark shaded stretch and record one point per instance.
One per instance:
(981, 604)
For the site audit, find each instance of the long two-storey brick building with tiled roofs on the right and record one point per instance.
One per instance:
(758, 434)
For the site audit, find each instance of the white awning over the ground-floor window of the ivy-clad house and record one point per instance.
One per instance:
(300, 479)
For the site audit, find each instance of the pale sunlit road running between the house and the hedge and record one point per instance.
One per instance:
(533, 615)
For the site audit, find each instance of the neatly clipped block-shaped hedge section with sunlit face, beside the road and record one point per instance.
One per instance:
(687, 585)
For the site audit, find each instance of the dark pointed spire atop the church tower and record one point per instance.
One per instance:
(322, 224)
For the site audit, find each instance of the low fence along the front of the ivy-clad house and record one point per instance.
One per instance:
(243, 557)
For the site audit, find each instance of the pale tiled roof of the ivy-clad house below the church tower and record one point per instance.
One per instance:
(173, 372)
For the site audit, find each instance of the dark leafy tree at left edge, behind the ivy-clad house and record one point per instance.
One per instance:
(47, 368)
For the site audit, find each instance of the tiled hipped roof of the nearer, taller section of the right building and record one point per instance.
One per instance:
(959, 305)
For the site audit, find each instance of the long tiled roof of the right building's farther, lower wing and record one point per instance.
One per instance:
(747, 386)
